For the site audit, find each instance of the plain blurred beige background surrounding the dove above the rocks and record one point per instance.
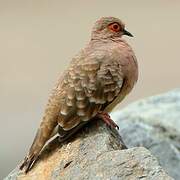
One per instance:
(38, 38)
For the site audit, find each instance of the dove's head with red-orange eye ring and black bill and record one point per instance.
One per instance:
(109, 27)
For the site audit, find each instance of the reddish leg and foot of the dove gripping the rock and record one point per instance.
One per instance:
(107, 119)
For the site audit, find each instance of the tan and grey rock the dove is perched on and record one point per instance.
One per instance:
(96, 153)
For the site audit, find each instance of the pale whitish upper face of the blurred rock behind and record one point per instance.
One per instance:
(162, 109)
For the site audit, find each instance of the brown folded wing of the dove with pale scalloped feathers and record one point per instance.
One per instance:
(88, 86)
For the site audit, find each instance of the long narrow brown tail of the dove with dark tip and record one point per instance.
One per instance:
(42, 136)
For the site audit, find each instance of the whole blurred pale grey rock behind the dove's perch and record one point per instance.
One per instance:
(154, 123)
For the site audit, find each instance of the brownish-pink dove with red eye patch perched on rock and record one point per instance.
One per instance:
(97, 79)
